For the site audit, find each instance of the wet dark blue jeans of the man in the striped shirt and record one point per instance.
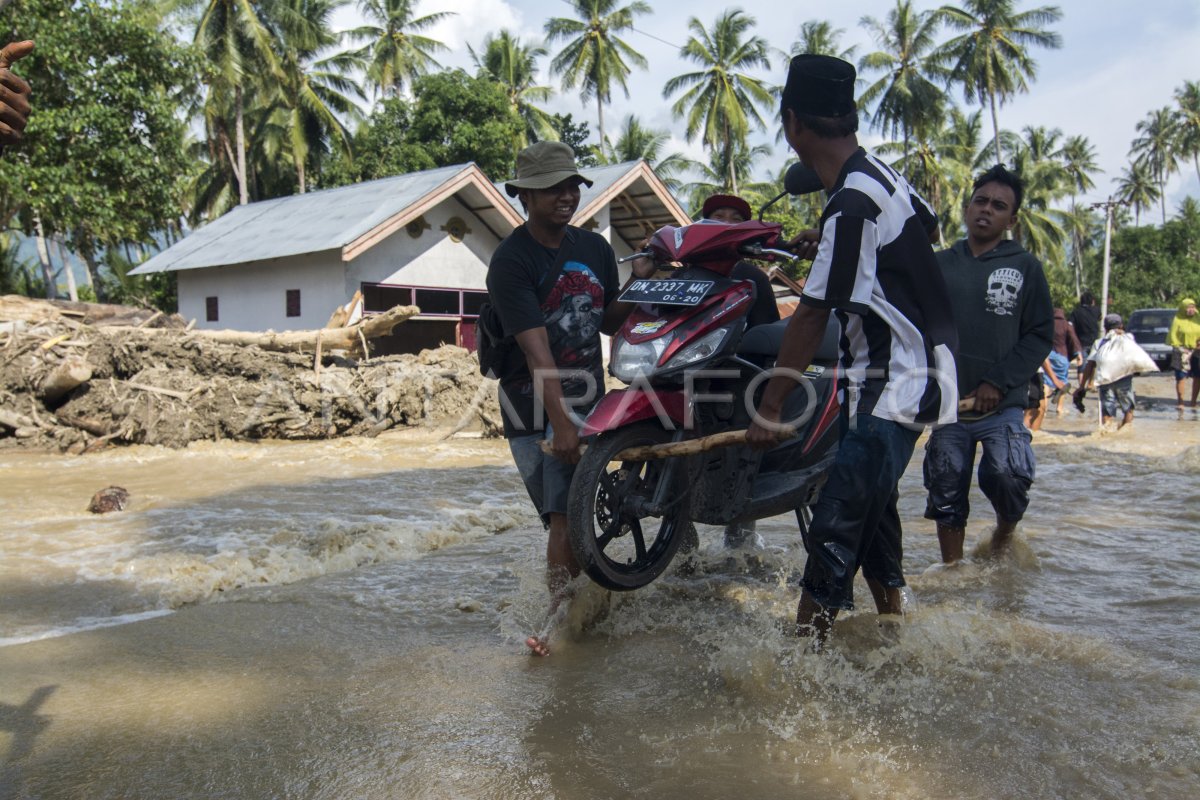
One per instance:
(855, 522)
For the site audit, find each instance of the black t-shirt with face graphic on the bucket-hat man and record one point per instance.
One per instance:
(572, 316)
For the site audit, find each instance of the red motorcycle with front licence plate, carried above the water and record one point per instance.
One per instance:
(695, 371)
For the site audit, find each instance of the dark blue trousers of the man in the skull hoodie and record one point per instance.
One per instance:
(1006, 471)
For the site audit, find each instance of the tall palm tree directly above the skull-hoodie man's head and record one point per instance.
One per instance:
(992, 59)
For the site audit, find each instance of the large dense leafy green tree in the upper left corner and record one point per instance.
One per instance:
(104, 161)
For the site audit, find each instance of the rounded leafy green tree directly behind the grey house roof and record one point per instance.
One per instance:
(453, 119)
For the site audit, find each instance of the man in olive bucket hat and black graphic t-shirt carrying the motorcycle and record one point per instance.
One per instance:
(555, 288)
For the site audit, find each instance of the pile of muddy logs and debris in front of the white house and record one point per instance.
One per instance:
(76, 377)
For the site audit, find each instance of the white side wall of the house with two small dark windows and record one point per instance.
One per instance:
(254, 297)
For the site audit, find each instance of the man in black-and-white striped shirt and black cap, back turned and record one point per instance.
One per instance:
(875, 269)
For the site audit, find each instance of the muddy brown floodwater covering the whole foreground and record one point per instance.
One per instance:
(344, 619)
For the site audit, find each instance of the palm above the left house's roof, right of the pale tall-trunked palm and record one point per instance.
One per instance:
(313, 97)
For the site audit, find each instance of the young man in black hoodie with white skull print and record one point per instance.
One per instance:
(1005, 320)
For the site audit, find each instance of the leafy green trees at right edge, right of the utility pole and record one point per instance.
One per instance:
(1154, 268)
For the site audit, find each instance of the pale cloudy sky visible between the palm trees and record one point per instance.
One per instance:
(1119, 62)
